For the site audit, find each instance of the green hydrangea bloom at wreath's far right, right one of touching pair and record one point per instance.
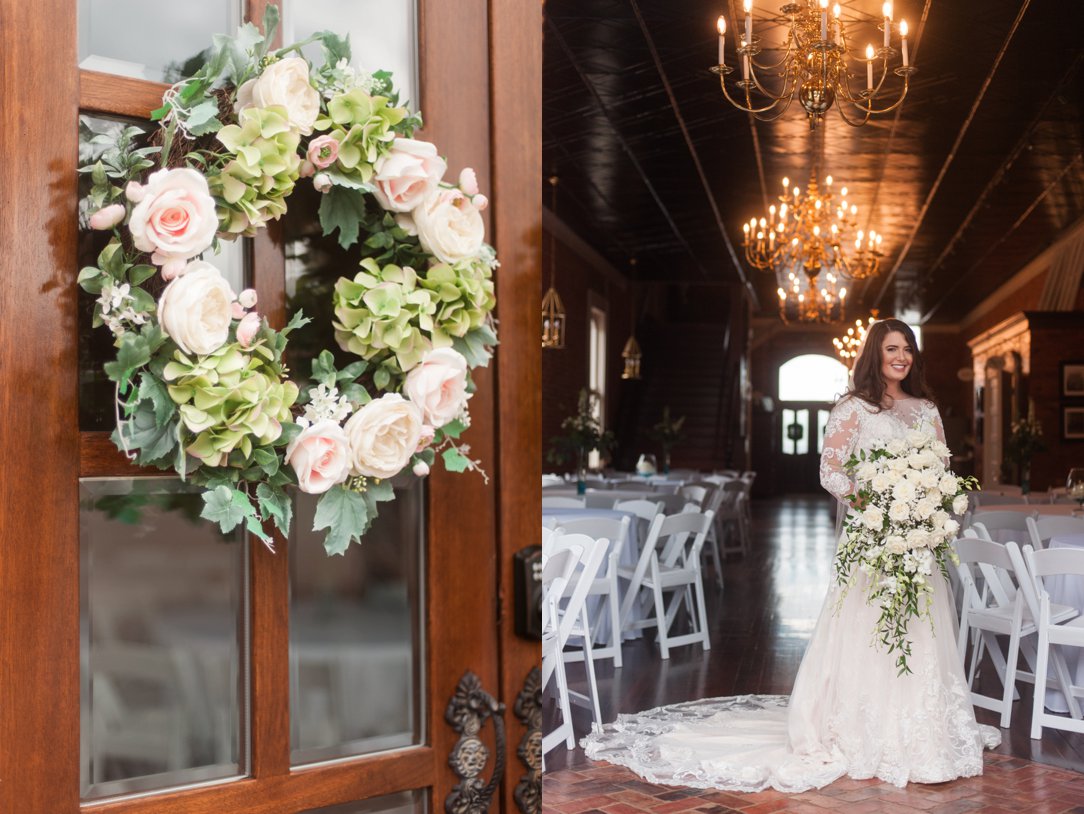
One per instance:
(464, 296)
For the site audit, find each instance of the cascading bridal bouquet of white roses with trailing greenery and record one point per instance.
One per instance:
(902, 531)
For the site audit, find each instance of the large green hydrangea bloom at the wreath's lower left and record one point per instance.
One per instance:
(233, 399)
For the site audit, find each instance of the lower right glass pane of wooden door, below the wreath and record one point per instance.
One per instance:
(356, 637)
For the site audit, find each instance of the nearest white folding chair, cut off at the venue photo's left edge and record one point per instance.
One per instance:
(557, 568)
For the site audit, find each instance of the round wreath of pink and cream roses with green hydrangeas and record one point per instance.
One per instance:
(201, 382)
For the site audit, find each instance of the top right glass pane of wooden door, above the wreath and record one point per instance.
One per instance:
(391, 46)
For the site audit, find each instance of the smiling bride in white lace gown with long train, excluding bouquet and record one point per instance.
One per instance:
(849, 713)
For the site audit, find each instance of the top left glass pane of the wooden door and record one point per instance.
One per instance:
(119, 36)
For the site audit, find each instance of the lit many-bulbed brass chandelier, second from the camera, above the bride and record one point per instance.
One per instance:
(808, 243)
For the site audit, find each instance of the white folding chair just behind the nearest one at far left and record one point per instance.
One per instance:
(573, 610)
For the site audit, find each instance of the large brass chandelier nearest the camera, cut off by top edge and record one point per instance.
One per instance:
(815, 67)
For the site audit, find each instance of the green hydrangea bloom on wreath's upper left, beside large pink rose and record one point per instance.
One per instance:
(252, 189)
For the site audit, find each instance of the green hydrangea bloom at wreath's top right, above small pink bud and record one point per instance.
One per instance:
(363, 125)
